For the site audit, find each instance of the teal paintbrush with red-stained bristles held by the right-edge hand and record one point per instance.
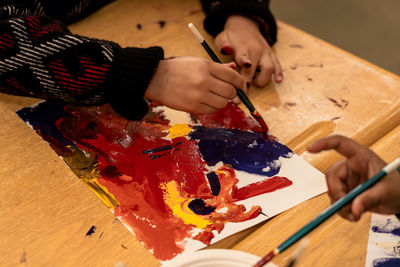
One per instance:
(329, 212)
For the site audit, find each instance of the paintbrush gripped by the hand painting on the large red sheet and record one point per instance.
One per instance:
(241, 94)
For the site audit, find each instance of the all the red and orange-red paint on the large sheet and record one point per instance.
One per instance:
(137, 181)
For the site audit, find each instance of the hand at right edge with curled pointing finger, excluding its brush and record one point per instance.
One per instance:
(359, 165)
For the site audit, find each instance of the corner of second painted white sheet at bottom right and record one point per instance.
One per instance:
(384, 241)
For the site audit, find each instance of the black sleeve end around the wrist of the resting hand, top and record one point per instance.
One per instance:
(217, 11)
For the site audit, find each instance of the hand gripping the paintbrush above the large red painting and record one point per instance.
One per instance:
(194, 85)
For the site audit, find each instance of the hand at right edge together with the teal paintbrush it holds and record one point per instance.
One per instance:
(361, 163)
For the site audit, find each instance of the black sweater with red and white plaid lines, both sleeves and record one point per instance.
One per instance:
(40, 57)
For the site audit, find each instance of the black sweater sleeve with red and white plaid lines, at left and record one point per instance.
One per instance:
(40, 57)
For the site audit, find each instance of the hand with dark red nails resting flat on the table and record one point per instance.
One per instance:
(241, 38)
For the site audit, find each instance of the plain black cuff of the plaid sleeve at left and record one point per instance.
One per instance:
(128, 78)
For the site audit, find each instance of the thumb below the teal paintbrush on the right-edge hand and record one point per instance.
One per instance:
(367, 201)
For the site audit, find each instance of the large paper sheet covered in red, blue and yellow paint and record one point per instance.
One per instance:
(178, 181)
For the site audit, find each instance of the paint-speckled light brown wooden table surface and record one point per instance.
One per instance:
(46, 211)
